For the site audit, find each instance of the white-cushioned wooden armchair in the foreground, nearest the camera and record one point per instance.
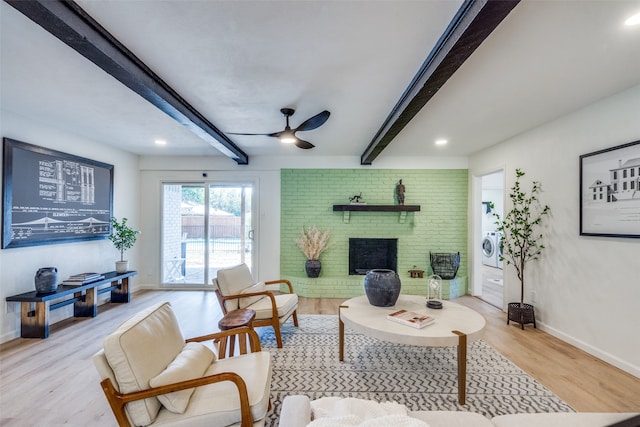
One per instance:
(151, 375)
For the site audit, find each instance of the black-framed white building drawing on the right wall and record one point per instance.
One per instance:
(610, 192)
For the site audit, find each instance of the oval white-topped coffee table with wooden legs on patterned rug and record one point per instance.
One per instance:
(455, 324)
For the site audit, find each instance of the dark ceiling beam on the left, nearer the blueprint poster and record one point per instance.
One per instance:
(72, 25)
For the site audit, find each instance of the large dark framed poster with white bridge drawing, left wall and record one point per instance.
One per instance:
(52, 197)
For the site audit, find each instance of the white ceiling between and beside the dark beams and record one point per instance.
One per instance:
(239, 62)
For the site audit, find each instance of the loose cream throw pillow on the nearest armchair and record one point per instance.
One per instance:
(191, 363)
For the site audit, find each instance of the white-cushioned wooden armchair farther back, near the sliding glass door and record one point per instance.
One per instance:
(235, 288)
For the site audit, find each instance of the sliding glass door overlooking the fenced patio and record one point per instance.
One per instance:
(205, 227)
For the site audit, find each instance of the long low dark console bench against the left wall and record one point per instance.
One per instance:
(35, 307)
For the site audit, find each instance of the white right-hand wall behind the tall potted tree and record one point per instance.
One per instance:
(587, 288)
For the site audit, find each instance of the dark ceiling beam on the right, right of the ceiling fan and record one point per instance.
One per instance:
(473, 23)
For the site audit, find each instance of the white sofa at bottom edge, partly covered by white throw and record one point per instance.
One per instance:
(296, 412)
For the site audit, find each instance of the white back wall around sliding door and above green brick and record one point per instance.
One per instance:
(265, 171)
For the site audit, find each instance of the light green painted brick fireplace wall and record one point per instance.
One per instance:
(308, 196)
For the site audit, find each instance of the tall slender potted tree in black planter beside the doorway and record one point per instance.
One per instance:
(521, 242)
